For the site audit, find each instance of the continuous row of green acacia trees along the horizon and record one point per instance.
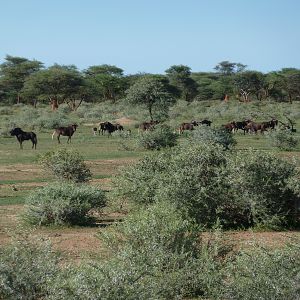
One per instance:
(29, 81)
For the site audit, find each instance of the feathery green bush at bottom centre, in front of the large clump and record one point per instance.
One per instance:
(154, 254)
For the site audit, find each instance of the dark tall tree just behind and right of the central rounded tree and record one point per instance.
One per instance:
(180, 77)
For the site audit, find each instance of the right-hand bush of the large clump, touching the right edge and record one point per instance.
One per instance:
(262, 182)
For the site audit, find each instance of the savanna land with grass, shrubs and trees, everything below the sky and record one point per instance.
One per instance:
(177, 209)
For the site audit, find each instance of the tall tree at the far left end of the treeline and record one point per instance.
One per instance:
(14, 72)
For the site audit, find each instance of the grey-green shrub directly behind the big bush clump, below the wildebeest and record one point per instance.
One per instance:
(206, 134)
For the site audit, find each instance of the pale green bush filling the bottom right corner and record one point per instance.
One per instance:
(260, 273)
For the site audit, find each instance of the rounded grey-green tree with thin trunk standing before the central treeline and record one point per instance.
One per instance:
(150, 91)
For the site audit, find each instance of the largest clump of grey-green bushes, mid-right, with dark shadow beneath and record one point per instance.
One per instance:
(208, 184)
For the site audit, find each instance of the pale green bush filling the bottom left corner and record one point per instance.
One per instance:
(28, 267)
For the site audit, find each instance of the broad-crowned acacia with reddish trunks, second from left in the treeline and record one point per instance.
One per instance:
(57, 84)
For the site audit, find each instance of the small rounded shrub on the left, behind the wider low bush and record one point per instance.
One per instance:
(66, 165)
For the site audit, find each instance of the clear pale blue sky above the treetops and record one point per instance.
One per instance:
(151, 35)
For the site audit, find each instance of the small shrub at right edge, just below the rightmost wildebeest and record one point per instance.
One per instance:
(283, 140)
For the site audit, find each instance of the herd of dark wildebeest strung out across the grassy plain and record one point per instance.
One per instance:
(247, 126)
